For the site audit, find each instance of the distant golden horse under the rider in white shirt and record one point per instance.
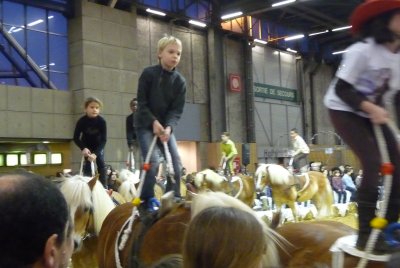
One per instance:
(289, 189)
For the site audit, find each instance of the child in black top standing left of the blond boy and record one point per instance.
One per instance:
(90, 136)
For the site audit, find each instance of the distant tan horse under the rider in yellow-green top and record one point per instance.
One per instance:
(241, 186)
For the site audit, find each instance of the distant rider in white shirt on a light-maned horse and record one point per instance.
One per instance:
(301, 150)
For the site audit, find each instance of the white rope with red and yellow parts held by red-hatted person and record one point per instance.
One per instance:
(387, 168)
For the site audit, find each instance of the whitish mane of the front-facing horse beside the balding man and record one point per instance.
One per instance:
(78, 194)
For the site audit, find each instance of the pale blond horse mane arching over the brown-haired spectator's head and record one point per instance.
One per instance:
(219, 199)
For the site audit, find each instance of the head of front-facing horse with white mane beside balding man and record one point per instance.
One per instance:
(89, 204)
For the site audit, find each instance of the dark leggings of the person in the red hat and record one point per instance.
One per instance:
(357, 132)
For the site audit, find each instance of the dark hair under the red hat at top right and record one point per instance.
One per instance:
(378, 28)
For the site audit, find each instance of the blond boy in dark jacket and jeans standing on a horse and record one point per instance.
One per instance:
(161, 99)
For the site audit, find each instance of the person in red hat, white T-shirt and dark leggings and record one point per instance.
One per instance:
(356, 102)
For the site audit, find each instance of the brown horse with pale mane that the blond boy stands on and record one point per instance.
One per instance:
(160, 234)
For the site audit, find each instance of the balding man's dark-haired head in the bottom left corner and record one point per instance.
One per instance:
(35, 226)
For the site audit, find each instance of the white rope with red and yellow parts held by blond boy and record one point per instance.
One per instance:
(136, 203)
